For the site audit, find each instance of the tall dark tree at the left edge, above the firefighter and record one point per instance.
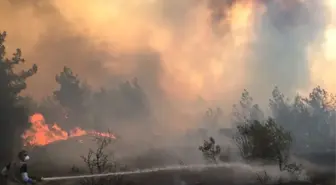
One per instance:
(13, 116)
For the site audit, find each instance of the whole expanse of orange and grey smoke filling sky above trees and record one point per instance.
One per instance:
(181, 51)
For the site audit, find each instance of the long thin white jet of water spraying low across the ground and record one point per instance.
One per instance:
(150, 170)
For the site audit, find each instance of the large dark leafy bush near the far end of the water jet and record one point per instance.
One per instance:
(265, 141)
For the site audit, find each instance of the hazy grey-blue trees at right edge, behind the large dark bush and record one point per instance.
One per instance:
(310, 119)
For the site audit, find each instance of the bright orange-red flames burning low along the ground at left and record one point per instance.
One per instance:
(40, 134)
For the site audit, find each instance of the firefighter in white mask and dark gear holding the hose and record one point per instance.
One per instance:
(16, 172)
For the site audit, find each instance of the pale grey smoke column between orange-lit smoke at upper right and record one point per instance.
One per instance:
(281, 51)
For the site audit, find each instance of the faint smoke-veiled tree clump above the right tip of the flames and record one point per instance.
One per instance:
(126, 102)
